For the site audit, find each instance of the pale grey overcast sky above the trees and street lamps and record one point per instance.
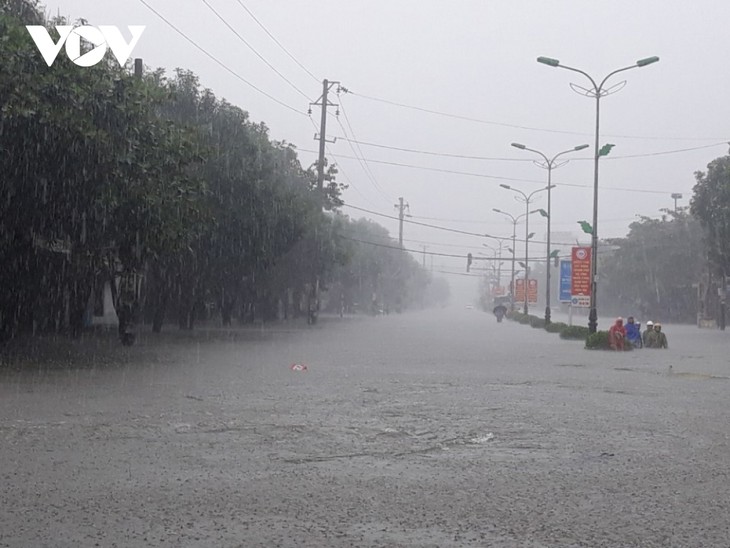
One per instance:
(474, 60)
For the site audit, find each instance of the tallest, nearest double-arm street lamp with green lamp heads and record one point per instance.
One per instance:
(597, 91)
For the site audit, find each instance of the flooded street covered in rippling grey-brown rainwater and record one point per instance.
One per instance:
(423, 429)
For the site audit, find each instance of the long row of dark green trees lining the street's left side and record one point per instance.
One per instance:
(174, 196)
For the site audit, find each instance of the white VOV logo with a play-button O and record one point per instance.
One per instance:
(100, 37)
